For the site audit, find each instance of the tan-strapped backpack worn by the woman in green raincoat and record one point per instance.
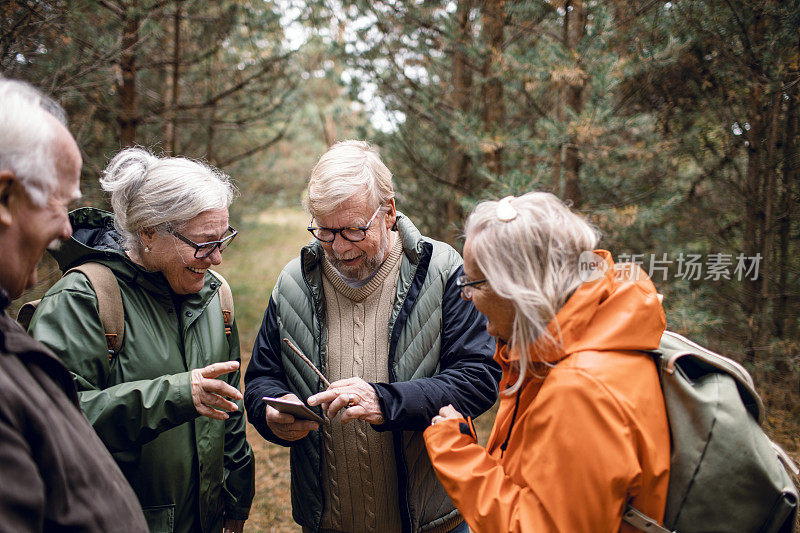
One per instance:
(109, 304)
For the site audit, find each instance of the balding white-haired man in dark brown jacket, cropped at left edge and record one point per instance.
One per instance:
(56, 473)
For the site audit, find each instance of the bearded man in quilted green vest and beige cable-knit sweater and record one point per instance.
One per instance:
(375, 306)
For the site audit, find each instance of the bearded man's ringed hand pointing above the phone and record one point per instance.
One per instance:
(354, 397)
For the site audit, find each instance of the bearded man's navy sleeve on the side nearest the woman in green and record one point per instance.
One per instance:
(265, 375)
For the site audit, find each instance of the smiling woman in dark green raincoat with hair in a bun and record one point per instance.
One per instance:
(166, 403)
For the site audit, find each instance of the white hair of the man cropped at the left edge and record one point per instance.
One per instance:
(27, 134)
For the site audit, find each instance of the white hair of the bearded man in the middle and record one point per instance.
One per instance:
(348, 169)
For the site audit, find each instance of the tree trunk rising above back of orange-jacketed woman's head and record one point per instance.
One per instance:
(576, 30)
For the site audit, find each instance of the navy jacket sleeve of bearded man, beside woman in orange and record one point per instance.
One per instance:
(468, 375)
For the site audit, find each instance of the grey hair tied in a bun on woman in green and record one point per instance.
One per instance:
(161, 193)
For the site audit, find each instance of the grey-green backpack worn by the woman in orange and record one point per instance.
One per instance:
(726, 475)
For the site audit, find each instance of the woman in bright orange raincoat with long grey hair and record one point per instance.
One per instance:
(581, 429)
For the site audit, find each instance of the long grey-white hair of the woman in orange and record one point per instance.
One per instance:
(531, 260)
